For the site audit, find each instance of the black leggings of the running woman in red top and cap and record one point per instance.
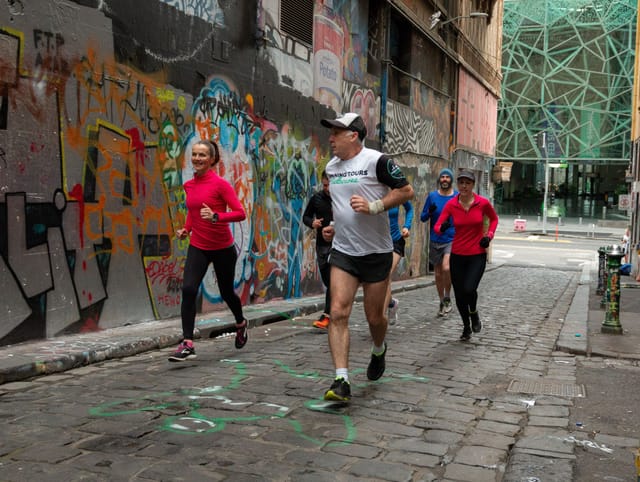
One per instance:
(466, 273)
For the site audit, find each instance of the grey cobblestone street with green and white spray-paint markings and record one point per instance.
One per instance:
(444, 410)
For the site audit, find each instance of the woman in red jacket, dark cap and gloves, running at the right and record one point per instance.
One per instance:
(467, 212)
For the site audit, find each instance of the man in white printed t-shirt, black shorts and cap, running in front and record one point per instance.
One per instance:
(364, 184)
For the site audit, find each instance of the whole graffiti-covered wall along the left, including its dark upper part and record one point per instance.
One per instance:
(100, 105)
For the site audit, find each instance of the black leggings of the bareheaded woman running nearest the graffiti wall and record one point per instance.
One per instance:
(195, 267)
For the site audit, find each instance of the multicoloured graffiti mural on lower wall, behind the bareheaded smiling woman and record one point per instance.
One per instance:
(93, 160)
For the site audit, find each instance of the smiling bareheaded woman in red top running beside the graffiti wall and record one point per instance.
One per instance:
(211, 205)
